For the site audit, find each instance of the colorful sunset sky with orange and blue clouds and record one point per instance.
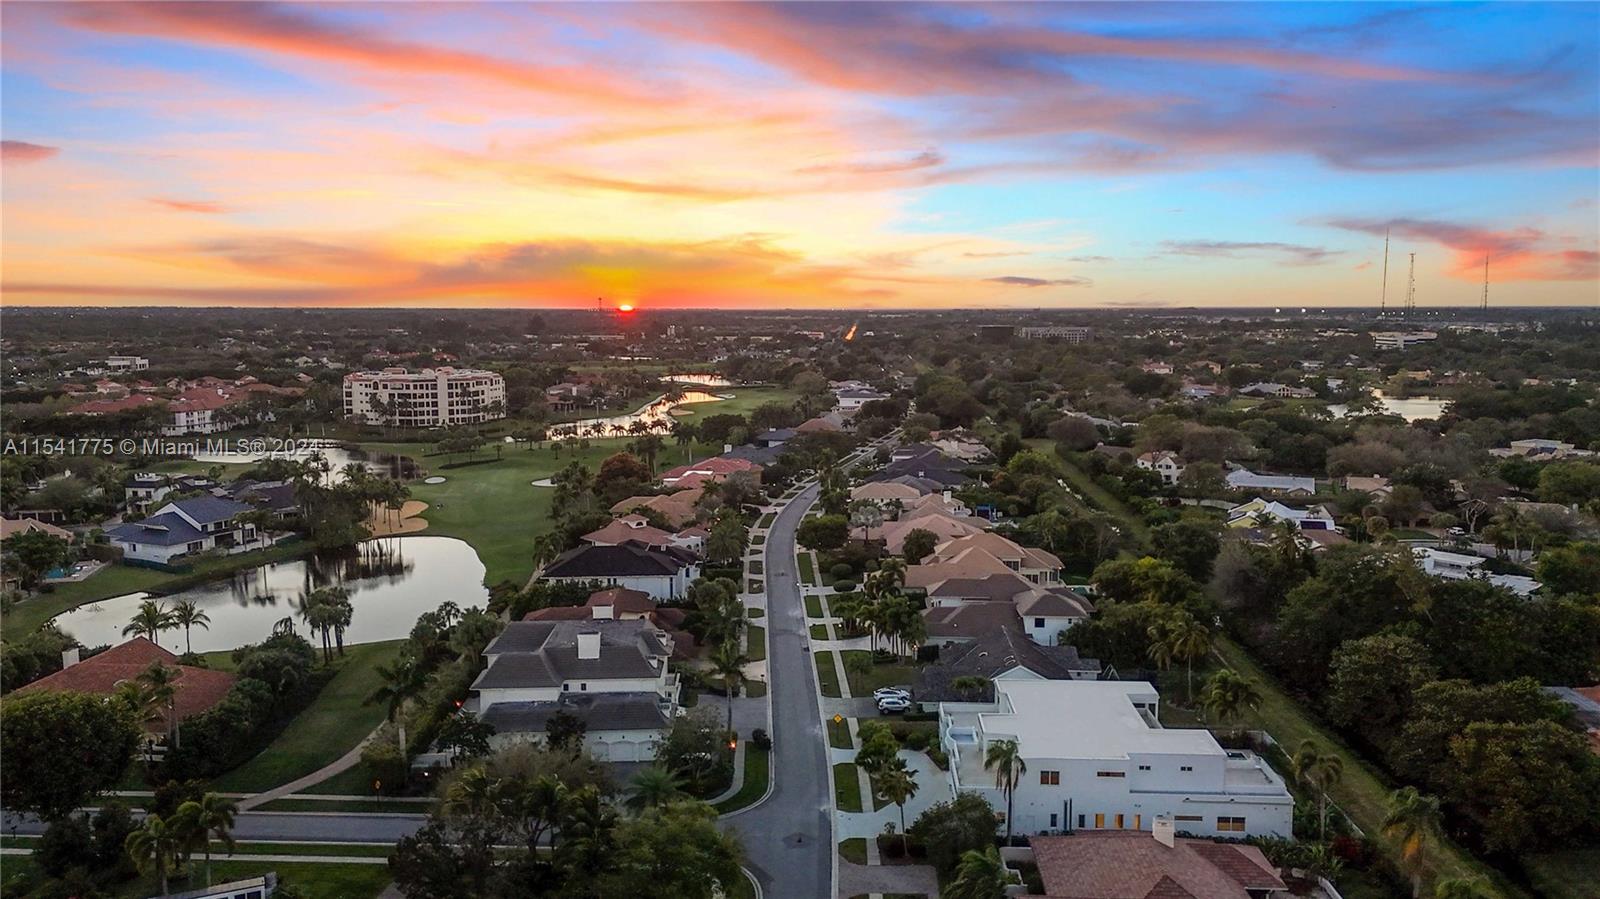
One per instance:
(790, 156)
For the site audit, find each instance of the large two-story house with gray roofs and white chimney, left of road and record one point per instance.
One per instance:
(614, 676)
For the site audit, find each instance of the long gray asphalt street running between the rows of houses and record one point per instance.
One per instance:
(790, 837)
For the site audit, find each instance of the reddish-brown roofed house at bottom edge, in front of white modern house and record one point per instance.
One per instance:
(1106, 865)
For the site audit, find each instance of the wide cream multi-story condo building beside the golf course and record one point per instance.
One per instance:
(434, 398)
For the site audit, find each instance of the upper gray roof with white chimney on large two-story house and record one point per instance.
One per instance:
(545, 653)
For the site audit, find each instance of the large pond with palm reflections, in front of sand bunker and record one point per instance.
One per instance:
(391, 583)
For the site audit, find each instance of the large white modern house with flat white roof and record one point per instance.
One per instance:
(1098, 759)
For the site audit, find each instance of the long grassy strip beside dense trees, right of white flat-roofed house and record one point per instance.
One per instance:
(1362, 793)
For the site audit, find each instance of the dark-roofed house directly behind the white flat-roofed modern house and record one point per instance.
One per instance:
(985, 644)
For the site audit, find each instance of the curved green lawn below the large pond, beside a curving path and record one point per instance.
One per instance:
(330, 727)
